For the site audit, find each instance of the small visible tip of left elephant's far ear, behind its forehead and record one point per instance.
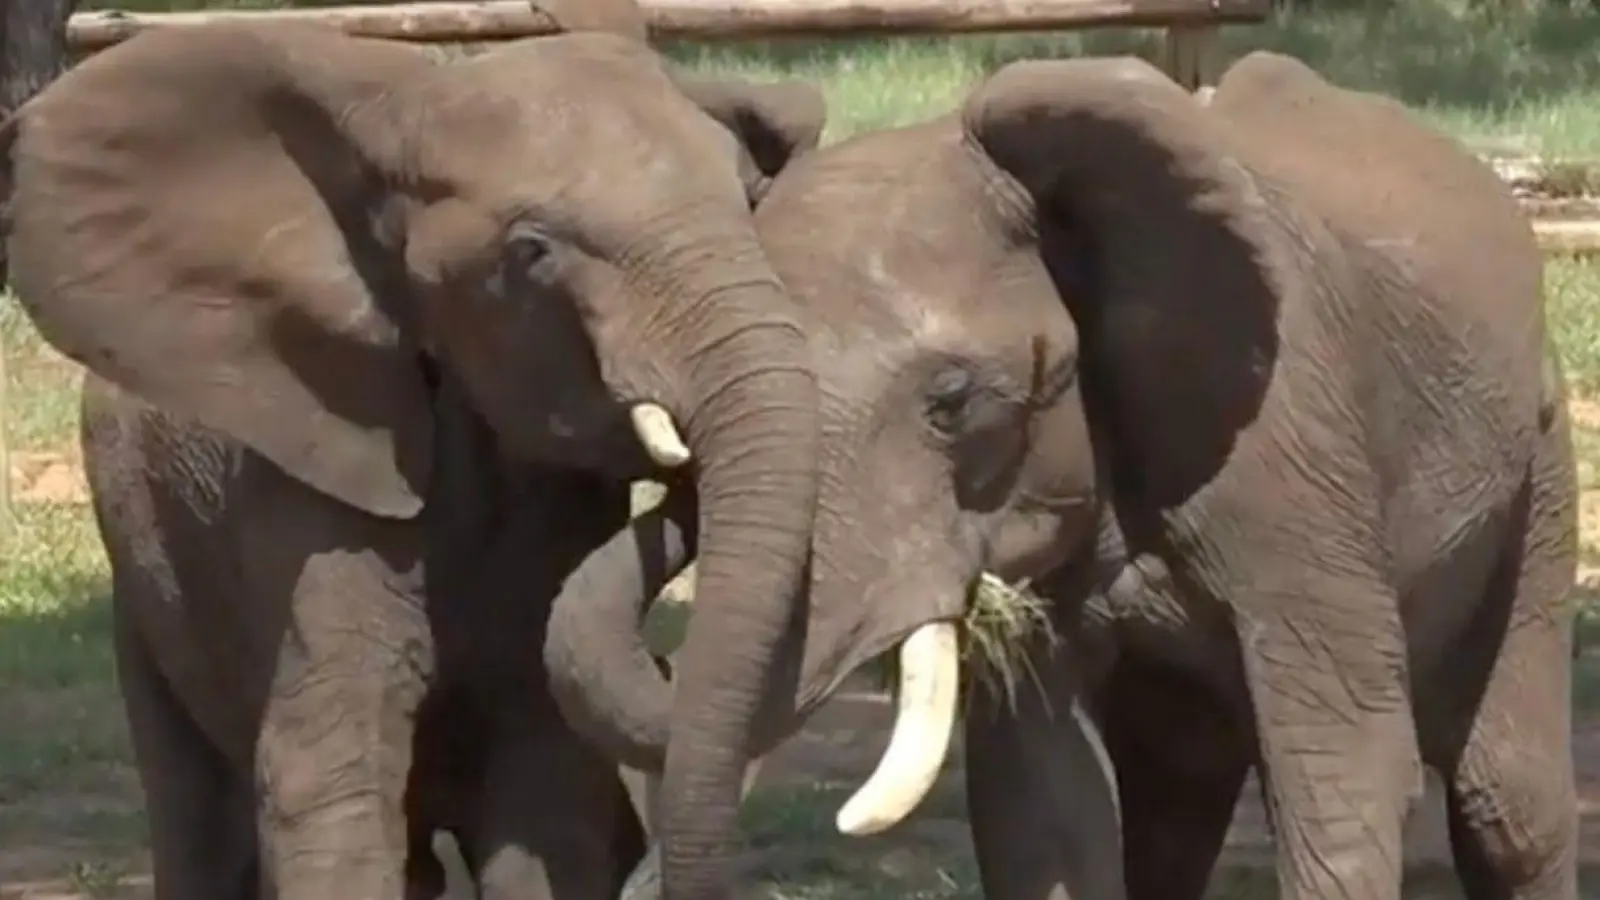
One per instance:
(775, 123)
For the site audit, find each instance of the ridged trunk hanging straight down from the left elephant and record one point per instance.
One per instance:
(754, 430)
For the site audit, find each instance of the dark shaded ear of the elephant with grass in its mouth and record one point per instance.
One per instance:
(1172, 255)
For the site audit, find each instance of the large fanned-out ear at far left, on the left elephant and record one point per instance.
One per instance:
(191, 219)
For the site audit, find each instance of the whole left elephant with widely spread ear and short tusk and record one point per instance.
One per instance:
(290, 260)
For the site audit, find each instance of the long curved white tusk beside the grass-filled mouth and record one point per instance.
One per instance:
(930, 672)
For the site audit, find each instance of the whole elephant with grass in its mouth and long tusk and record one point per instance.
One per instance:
(1262, 388)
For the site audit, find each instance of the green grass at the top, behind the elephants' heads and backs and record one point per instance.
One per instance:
(1534, 76)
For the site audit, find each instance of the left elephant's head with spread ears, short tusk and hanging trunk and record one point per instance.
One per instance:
(286, 233)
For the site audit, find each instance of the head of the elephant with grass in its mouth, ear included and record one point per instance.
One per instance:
(1049, 308)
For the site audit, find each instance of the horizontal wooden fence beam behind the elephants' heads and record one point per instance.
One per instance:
(698, 20)
